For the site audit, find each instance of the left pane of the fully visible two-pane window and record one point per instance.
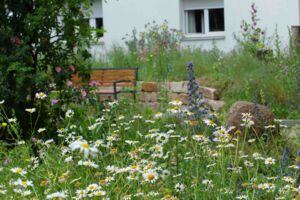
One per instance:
(195, 21)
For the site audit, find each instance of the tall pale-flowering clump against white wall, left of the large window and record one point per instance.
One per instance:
(156, 46)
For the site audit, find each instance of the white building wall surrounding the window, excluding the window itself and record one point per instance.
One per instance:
(120, 17)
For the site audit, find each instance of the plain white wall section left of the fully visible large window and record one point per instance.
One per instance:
(121, 17)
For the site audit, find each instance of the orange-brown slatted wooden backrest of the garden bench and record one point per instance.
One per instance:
(106, 76)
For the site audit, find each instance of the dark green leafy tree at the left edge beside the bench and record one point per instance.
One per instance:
(41, 42)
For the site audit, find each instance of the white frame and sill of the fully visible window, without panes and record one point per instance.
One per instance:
(207, 34)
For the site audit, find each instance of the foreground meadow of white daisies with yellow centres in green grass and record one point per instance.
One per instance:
(121, 151)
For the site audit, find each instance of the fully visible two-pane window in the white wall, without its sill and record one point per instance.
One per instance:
(204, 21)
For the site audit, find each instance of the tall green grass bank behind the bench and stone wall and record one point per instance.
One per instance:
(238, 75)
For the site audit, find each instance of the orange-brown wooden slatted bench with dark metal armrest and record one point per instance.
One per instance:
(112, 80)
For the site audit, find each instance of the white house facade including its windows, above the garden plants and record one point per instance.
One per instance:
(201, 21)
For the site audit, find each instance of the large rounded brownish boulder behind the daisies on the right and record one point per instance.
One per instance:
(261, 116)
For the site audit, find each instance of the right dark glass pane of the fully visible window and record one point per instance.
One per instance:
(216, 20)
